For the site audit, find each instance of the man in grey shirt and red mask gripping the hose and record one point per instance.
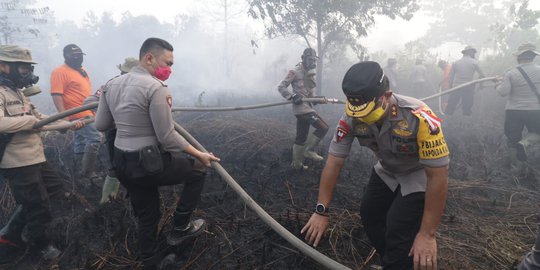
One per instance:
(148, 151)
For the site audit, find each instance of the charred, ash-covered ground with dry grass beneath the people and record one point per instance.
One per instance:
(489, 222)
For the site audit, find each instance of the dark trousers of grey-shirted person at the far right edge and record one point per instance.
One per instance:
(514, 122)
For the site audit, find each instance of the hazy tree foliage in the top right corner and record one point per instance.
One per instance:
(498, 25)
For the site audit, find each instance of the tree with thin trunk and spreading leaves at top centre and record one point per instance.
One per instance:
(326, 23)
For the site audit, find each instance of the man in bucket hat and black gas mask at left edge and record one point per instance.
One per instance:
(31, 179)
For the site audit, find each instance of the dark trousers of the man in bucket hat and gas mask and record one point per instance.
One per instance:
(33, 186)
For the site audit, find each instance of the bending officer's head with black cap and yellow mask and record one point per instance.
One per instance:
(363, 84)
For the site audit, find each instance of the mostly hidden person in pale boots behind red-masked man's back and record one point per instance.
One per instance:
(111, 184)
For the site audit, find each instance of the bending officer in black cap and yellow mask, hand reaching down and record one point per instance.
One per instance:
(406, 194)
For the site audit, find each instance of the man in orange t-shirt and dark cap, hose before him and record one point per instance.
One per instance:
(70, 86)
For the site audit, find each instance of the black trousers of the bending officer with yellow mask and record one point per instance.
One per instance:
(391, 222)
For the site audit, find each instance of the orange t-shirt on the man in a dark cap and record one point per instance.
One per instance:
(74, 88)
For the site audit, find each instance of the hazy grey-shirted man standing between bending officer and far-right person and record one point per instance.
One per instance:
(463, 72)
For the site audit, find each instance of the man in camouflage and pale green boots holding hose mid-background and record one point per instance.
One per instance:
(302, 79)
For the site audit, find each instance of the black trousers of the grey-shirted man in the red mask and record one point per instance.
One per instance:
(144, 194)
